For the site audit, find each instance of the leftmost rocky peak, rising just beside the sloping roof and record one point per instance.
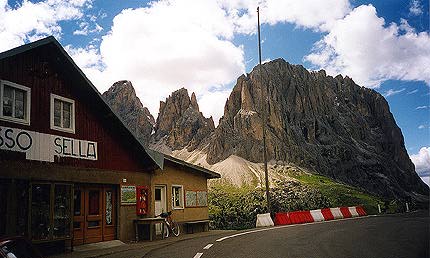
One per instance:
(121, 96)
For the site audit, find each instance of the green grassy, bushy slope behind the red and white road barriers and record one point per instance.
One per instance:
(234, 207)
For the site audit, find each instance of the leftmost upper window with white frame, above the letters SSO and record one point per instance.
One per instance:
(15, 102)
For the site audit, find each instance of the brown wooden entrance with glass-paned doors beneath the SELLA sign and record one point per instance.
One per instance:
(94, 215)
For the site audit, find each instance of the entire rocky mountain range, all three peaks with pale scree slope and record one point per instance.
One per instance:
(325, 125)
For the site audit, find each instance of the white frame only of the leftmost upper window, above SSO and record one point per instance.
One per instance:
(27, 108)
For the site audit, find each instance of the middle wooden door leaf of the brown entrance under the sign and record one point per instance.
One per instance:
(93, 214)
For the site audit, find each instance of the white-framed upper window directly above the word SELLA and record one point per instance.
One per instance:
(62, 114)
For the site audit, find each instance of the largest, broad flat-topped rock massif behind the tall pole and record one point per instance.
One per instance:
(328, 125)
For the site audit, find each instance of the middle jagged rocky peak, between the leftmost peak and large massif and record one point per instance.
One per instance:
(180, 124)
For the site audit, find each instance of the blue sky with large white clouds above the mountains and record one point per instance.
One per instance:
(205, 45)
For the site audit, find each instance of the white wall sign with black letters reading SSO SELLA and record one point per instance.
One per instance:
(43, 147)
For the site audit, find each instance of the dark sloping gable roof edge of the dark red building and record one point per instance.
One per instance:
(151, 159)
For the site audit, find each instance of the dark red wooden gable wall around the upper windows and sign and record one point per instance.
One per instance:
(45, 71)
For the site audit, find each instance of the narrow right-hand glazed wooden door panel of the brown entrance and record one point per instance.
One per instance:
(109, 213)
